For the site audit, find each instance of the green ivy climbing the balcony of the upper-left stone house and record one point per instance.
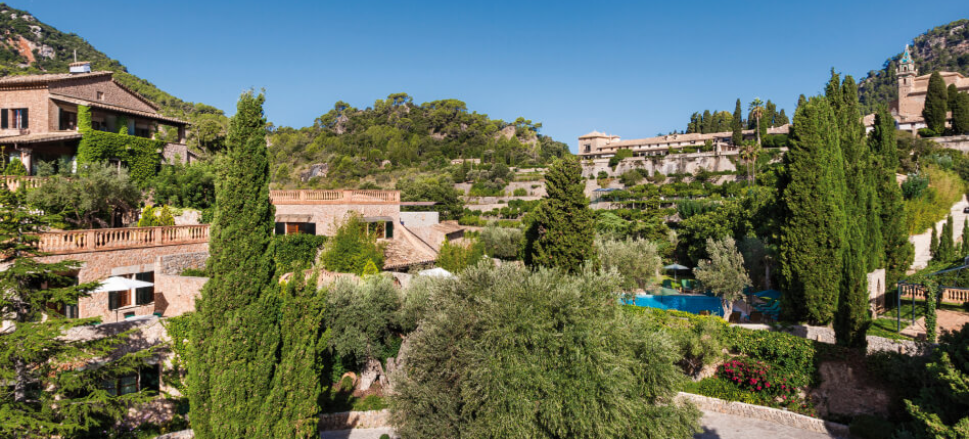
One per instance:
(140, 154)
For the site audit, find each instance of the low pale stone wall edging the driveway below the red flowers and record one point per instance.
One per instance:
(777, 416)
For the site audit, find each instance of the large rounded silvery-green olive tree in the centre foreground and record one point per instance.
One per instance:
(578, 366)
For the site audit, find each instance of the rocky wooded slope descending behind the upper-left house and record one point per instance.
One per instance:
(31, 47)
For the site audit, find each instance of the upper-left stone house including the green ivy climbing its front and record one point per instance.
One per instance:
(70, 119)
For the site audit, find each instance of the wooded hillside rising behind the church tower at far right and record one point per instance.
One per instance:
(945, 48)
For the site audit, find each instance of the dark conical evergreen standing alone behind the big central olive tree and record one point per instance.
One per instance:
(561, 230)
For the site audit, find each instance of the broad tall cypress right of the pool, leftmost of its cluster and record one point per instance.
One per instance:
(812, 228)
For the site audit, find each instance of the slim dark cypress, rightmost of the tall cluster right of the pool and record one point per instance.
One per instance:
(883, 145)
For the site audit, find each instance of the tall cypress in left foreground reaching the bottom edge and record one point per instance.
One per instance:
(235, 334)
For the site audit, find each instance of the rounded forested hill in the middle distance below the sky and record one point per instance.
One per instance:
(395, 134)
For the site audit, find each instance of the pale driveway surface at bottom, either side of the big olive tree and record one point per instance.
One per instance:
(715, 425)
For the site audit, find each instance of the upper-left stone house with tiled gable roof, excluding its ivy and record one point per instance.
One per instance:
(38, 114)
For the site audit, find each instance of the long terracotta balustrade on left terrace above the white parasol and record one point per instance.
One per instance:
(92, 240)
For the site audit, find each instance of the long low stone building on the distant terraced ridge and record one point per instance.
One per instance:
(600, 145)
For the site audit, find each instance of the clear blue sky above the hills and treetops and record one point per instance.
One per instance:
(633, 69)
